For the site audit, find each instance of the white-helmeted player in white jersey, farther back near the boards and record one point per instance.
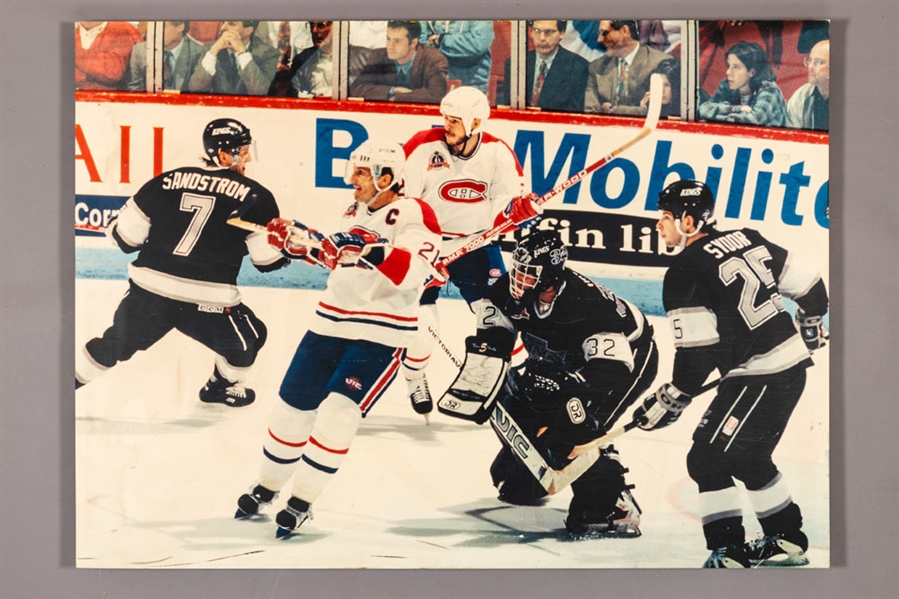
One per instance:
(473, 181)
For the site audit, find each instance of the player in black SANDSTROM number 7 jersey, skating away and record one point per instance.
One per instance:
(185, 273)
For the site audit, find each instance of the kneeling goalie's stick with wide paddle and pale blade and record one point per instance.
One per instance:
(508, 430)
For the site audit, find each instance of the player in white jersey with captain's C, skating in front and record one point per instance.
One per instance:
(355, 343)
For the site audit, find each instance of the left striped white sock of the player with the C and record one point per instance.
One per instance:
(285, 441)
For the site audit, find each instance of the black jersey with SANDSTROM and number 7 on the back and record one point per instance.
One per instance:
(187, 249)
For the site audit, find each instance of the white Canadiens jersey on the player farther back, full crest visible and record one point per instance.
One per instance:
(467, 194)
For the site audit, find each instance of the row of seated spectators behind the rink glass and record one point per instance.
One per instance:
(767, 73)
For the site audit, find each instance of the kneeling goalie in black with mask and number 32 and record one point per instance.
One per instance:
(591, 354)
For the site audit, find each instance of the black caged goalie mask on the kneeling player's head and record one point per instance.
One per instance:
(537, 263)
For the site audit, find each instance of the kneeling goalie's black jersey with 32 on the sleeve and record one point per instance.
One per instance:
(586, 322)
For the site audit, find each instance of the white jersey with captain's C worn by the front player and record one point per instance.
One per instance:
(380, 304)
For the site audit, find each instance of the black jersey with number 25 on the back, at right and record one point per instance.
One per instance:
(723, 298)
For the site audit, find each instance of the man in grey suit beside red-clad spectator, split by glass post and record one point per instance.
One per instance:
(180, 55)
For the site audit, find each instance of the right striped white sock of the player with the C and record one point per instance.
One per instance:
(335, 427)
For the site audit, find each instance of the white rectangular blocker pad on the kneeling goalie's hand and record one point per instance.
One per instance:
(474, 393)
